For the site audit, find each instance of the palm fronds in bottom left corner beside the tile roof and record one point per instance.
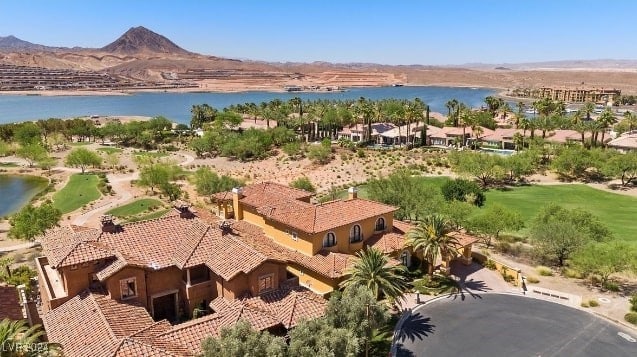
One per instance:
(16, 337)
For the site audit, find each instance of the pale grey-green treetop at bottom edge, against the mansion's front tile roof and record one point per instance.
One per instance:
(242, 340)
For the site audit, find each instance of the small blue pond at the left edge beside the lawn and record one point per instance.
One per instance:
(15, 191)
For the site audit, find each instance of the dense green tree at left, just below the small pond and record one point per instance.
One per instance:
(32, 221)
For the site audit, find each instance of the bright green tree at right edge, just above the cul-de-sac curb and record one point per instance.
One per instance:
(605, 259)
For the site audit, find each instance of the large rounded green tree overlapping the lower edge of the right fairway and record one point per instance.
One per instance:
(558, 232)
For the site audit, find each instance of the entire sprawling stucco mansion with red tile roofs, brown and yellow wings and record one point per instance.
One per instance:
(268, 256)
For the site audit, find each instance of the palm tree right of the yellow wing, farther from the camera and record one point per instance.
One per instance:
(431, 237)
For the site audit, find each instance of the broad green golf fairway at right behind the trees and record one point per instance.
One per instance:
(617, 211)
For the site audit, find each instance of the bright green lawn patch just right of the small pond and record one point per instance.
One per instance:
(80, 190)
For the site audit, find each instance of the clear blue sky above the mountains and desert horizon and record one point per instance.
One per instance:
(433, 32)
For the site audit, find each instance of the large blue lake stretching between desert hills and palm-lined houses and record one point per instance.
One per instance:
(176, 106)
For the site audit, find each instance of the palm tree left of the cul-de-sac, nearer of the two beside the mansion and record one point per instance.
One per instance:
(373, 270)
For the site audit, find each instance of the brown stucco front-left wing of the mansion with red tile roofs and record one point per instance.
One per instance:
(112, 291)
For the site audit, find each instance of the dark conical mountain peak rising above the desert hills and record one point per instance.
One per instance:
(140, 39)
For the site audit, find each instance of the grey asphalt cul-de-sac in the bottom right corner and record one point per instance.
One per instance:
(508, 325)
